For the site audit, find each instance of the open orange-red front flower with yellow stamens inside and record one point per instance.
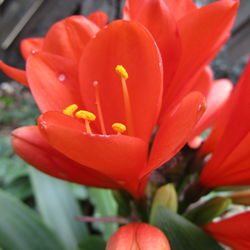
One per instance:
(63, 147)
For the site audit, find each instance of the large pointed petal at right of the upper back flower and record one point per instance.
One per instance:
(199, 44)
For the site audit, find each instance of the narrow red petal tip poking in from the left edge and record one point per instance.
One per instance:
(14, 73)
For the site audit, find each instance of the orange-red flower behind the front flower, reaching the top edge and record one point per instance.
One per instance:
(188, 38)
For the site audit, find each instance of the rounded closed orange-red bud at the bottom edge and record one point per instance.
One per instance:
(138, 236)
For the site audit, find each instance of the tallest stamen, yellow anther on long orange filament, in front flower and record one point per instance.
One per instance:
(128, 111)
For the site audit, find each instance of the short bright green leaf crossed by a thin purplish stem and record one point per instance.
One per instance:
(105, 206)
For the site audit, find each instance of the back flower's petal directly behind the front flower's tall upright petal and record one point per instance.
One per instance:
(158, 19)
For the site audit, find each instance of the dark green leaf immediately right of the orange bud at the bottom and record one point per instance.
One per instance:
(182, 234)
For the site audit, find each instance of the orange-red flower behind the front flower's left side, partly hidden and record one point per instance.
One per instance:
(58, 41)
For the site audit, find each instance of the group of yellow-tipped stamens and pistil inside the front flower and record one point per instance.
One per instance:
(89, 117)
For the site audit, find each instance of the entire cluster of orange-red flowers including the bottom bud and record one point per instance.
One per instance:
(119, 100)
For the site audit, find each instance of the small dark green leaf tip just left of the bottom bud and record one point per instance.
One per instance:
(92, 242)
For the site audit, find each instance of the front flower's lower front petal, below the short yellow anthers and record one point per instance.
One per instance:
(120, 157)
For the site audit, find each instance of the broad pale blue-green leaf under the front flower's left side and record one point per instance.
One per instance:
(59, 208)
